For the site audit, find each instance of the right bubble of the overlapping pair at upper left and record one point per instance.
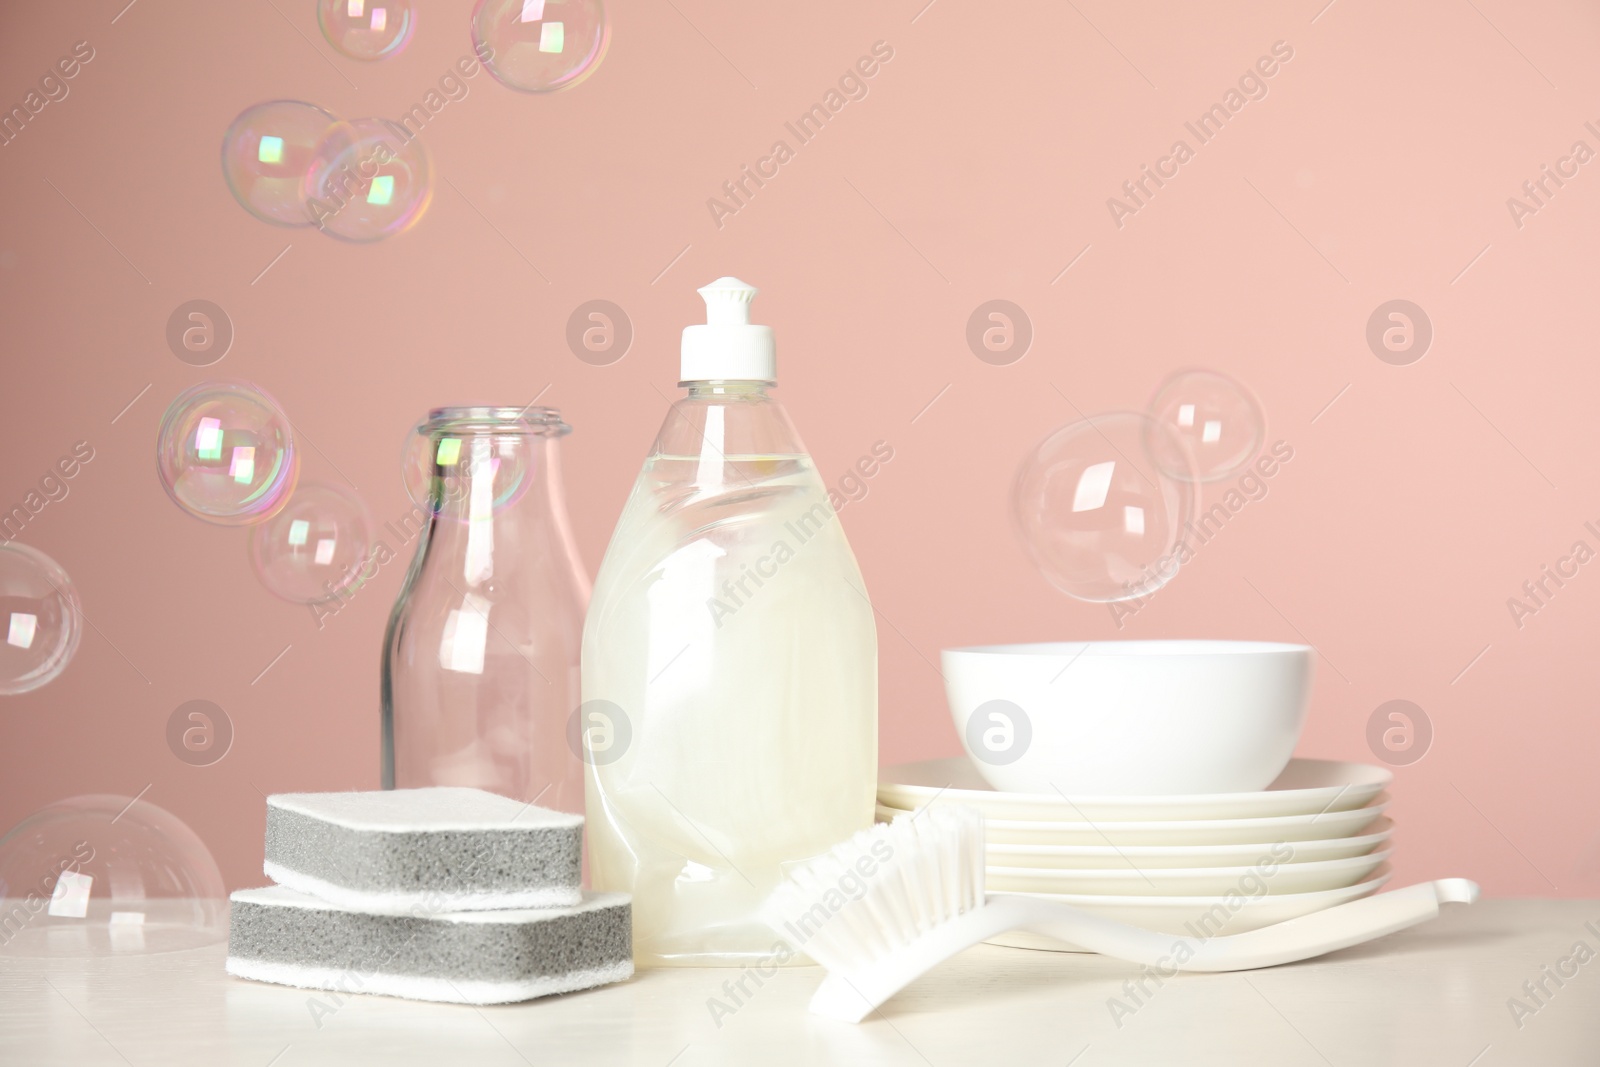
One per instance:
(370, 180)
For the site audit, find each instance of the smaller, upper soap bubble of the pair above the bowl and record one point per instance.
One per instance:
(1215, 417)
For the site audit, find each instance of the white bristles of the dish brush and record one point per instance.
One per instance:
(882, 889)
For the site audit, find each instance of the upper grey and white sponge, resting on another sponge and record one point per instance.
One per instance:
(434, 850)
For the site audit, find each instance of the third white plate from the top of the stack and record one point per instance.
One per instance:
(1161, 857)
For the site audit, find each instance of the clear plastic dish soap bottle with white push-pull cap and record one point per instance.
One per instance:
(729, 663)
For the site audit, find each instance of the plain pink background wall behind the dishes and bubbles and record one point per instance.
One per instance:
(978, 167)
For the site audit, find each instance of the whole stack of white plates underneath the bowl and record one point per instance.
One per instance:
(1194, 866)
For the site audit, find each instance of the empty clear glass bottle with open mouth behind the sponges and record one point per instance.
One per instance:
(481, 658)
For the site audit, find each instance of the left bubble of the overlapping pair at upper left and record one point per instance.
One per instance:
(266, 156)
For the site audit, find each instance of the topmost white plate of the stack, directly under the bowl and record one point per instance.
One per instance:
(1305, 788)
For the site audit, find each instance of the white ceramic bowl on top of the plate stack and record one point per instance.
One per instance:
(1129, 717)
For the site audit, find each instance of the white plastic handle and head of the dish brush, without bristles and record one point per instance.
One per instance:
(855, 996)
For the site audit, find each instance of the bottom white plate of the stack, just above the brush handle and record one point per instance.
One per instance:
(1196, 916)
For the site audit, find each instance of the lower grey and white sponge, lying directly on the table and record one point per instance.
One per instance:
(458, 957)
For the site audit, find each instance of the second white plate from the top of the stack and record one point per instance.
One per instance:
(1180, 831)
